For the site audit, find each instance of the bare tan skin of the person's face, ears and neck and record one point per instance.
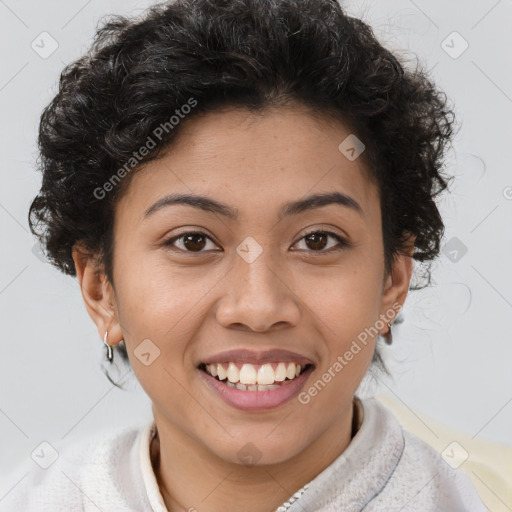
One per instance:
(192, 305)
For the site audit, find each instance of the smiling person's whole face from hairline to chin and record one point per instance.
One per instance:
(193, 283)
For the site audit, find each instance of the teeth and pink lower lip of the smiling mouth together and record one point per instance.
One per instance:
(255, 387)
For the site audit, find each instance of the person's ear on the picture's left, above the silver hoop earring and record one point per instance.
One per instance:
(98, 294)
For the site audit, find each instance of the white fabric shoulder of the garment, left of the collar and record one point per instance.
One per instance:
(79, 474)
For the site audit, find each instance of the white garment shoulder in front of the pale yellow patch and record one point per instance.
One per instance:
(422, 480)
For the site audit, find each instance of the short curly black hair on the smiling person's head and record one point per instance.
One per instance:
(253, 54)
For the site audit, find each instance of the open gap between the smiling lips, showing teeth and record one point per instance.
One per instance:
(251, 377)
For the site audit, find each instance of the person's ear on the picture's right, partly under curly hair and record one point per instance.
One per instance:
(396, 285)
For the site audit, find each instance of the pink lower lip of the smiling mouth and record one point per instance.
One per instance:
(257, 400)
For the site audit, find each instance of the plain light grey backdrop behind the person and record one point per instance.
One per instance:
(451, 357)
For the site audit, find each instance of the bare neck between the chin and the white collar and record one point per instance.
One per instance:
(190, 477)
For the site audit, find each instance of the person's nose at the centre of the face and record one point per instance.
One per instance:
(258, 296)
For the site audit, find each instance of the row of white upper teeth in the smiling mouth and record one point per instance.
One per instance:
(250, 375)
